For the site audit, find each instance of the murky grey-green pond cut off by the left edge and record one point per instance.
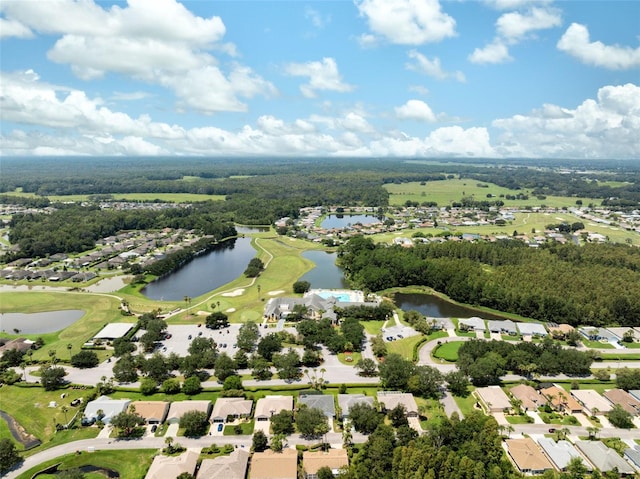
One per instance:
(38, 323)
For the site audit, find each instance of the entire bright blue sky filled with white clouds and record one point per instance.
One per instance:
(363, 78)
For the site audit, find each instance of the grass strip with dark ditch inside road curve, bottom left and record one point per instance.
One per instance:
(130, 464)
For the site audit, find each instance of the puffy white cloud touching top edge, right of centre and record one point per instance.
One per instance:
(407, 22)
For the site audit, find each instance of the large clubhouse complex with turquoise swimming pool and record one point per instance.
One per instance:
(317, 304)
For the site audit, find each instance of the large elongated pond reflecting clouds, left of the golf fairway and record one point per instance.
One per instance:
(203, 273)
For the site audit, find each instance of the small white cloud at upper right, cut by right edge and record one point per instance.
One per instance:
(576, 42)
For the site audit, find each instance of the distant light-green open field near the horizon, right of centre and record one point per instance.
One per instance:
(447, 191)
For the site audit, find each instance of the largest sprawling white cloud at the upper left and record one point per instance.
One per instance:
(158, 41)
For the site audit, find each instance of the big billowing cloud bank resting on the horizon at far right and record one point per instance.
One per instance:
(603, 128)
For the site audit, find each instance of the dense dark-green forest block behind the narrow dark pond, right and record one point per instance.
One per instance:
(596, 284)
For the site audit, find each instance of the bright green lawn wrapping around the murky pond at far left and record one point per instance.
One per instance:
(99, 310)
